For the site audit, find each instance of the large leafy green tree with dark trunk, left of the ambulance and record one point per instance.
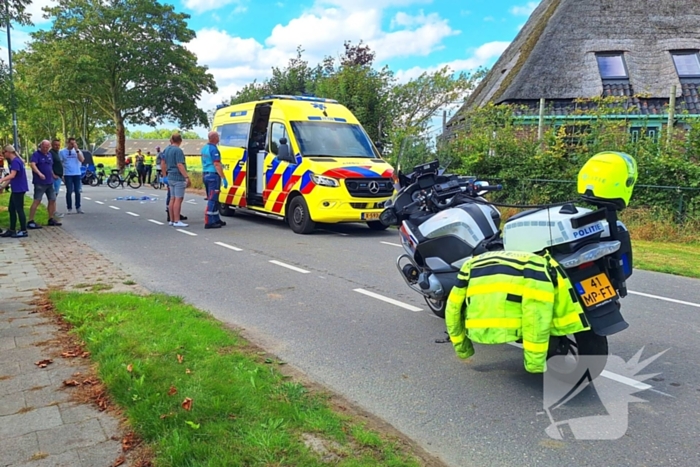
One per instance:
(128, 57)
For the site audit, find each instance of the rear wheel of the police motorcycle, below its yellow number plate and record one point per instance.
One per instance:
(583, 352)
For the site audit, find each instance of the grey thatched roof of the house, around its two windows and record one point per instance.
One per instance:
(553, 56)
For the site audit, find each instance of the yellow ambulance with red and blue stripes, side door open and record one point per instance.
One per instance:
(303, 159)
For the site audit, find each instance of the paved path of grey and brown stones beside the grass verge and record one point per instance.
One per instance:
(40, 425)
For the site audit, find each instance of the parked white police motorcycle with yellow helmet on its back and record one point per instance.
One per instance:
(443, 221)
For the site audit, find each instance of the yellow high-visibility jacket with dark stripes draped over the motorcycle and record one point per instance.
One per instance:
(507, 296)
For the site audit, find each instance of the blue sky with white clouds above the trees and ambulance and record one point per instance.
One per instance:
(240, 40)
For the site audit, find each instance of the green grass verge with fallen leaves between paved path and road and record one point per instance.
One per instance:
(244, 410)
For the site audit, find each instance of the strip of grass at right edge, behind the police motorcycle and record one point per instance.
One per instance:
(672, 258)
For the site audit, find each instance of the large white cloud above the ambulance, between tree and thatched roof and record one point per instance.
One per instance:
(320, 31)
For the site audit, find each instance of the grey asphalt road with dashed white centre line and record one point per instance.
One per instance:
(305, 299)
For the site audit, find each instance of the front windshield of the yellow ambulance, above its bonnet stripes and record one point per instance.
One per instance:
(329, 139)
